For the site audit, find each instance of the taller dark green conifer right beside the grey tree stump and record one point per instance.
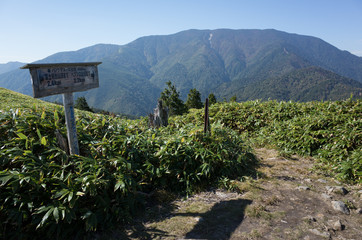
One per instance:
(171, 98)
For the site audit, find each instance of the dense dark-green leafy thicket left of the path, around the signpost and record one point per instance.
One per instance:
(44, 193)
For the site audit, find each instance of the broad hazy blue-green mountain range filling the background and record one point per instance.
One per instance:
(249, 64)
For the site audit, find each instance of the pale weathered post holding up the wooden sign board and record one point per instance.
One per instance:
(70, 122)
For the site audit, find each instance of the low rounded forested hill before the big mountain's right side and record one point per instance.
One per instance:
(305, 84)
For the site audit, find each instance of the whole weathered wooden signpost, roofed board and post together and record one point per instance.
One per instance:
(64, 78)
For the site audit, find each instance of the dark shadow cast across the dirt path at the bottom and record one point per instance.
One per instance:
(221, 221)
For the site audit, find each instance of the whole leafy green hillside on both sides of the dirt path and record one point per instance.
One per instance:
(46, 193)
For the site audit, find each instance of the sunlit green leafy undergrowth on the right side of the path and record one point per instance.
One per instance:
(329, 131)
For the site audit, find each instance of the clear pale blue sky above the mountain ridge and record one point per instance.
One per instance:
(34, 29)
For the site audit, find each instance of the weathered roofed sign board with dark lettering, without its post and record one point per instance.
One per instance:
(57, 78)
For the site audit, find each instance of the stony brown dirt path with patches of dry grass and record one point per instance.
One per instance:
(288, 201)
